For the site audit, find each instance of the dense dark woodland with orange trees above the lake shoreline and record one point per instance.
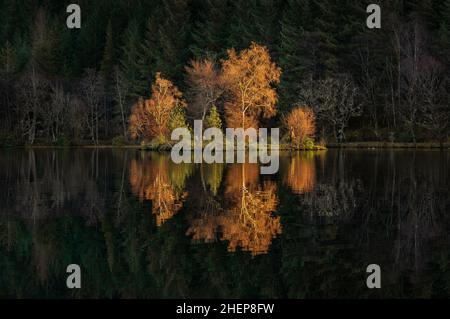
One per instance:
(319, 60)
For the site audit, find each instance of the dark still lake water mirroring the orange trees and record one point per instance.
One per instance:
(140, 226)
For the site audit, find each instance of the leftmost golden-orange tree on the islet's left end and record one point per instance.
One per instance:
(150, 118)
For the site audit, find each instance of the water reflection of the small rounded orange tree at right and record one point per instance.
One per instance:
(301, 174)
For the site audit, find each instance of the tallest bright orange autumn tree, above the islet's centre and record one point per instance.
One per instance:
(248, 78)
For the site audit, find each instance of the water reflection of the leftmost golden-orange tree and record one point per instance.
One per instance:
(154, 180)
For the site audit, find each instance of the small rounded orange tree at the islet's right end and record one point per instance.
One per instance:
(301, 123)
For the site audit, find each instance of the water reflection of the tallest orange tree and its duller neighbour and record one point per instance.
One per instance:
(245, 219)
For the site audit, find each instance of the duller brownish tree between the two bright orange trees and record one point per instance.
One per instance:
(205, 87)
